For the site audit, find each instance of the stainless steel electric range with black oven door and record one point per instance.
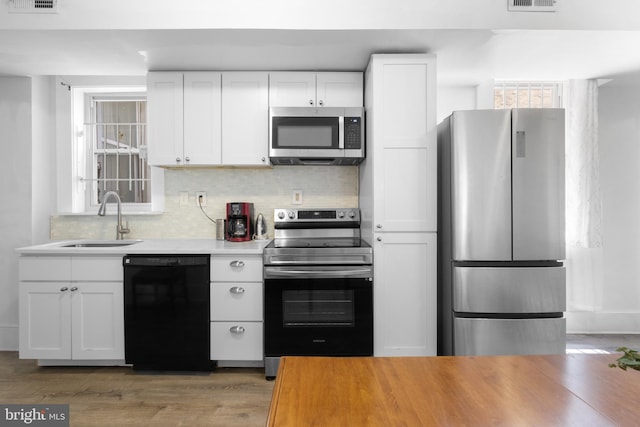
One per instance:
(318, 286)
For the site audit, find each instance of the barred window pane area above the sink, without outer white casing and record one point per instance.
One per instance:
(116, 141)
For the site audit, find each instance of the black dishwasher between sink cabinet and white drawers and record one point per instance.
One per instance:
(166, 312)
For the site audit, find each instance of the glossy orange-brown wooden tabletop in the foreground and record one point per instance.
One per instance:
(556, 390)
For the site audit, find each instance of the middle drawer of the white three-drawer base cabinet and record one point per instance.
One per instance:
(236, 301)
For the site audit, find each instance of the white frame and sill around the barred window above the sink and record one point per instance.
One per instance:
(71, 95)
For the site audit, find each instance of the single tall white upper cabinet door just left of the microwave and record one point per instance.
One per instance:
(245, 118)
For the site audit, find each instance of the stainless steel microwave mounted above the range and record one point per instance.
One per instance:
(316, 136)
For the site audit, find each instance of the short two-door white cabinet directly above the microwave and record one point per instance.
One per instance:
(309, 89)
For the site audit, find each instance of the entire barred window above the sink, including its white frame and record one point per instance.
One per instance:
(106, 146)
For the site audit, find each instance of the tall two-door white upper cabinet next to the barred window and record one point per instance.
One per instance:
(184, 118)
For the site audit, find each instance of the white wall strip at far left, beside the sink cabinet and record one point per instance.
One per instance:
(15, 193)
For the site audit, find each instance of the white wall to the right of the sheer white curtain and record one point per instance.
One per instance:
(613, 305)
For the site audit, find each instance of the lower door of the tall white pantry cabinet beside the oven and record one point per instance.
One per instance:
(405, 292)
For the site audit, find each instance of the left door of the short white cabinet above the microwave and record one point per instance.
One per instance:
(292, 89)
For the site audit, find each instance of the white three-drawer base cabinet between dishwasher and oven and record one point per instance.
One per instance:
(236, 310)
